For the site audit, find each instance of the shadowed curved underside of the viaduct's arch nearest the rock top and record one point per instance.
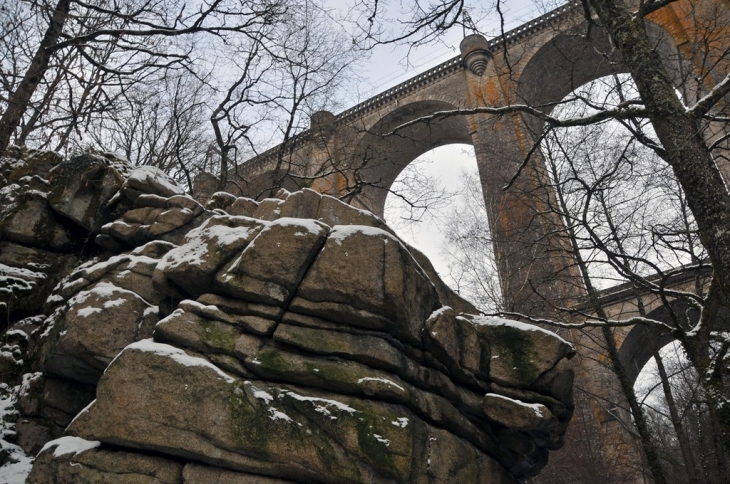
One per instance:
(380, 154)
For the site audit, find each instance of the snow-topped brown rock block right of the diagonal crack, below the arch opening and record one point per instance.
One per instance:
(365, 276)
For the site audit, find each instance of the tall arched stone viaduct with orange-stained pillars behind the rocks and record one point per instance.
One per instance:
(357, 154)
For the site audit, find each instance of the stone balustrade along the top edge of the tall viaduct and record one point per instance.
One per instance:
(452, 65)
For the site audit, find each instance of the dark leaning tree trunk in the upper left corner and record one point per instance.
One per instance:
(19, 100)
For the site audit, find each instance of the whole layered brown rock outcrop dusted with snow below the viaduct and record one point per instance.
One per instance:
(296, 339)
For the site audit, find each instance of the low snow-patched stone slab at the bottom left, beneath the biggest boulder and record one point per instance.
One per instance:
(71, 460)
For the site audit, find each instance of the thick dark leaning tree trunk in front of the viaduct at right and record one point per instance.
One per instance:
(687, 153)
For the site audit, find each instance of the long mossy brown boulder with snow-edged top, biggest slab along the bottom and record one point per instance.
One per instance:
(183, 405)
